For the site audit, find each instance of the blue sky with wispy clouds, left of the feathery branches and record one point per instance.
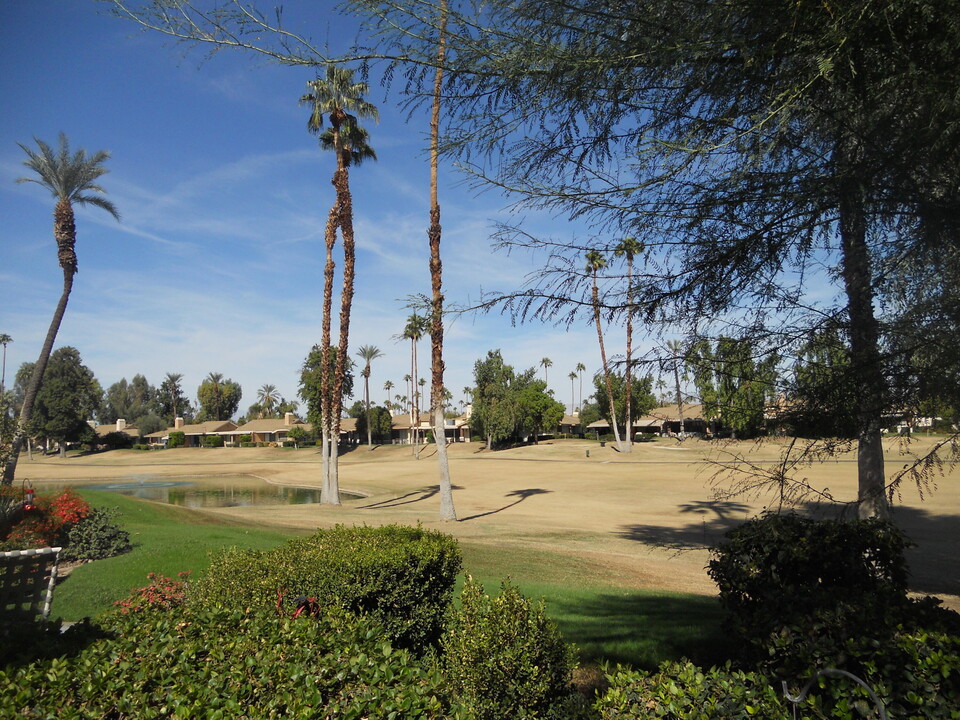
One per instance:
(217, 263)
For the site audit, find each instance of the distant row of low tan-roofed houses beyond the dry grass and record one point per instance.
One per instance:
(661, 421)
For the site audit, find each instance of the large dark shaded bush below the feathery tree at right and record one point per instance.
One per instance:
(820, 582)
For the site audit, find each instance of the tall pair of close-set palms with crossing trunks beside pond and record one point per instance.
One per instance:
(340, 100)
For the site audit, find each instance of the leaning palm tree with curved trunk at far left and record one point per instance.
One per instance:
(71, 179)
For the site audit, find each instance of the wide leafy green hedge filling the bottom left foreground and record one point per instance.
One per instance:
(198, 663)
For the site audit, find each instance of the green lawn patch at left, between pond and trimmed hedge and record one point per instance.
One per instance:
(166, 540)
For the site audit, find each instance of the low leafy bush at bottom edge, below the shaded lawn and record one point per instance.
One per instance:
(682, 691)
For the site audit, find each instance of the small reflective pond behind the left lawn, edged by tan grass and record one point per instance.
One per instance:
(212, 492)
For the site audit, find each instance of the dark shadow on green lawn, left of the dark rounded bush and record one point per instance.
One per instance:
(643, 630)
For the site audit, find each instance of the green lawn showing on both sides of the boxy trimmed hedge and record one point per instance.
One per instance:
(639, 628)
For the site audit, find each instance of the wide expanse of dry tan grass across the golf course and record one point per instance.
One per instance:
(638, 520)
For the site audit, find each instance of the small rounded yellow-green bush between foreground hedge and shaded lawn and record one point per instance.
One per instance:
(505, 659)
